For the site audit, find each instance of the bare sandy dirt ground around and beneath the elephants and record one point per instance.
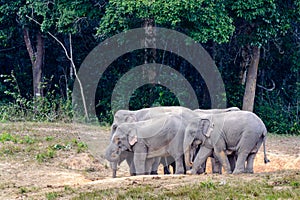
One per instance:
(22, 177)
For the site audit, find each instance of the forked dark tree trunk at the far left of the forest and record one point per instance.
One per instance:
(36, 58)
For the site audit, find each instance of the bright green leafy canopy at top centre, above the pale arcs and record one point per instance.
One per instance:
(203, 20)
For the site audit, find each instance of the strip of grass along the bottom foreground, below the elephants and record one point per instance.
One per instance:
(235, 189)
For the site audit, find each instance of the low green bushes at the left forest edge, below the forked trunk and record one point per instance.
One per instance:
(51, 107)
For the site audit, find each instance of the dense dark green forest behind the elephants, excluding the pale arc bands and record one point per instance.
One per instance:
(255, 45)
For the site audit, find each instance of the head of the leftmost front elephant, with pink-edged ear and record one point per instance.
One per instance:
(123, 139)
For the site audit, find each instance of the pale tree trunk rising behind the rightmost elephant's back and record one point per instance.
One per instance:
(249, 95)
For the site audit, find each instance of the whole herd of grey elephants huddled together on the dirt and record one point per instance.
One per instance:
(148, 137)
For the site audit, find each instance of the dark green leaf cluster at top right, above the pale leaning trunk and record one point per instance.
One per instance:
(259, 22)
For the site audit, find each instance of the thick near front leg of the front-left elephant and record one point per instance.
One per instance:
(139, 158)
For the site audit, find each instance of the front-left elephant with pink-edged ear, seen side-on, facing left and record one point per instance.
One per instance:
(152, 138)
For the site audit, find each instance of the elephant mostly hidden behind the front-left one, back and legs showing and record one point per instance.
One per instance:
(123, 116)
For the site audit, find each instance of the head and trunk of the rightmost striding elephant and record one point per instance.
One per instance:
(196, 133)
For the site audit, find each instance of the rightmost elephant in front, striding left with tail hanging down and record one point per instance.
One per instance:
(240, 133)
